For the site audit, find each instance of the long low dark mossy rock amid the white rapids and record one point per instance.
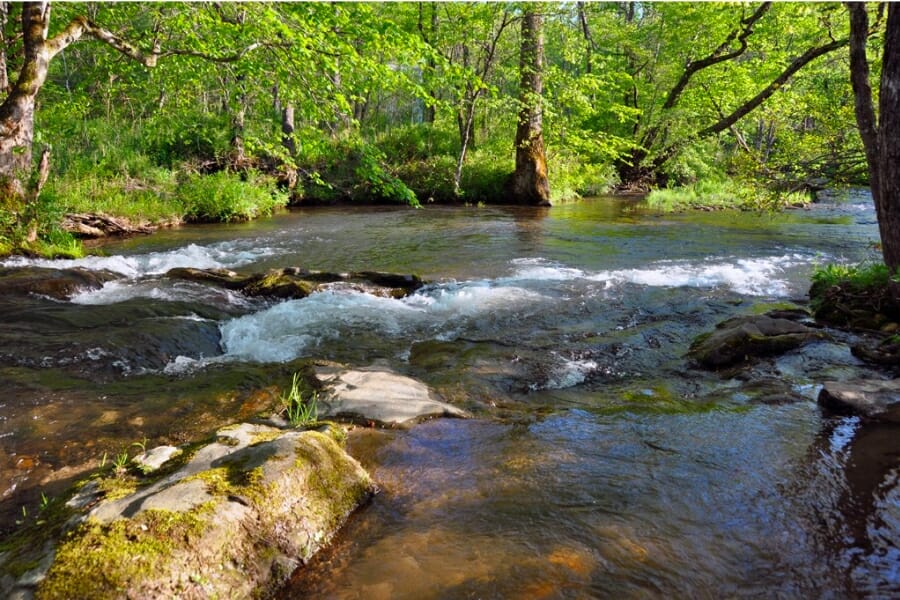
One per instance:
(295, 283)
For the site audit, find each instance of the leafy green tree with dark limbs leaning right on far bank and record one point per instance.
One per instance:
(690, 72)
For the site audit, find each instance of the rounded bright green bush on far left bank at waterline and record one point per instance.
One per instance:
(227, 196)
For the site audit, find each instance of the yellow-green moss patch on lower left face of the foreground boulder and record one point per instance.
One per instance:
(100, 560)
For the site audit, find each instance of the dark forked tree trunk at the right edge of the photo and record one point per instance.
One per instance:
(880, 134)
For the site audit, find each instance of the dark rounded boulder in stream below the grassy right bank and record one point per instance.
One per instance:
(741, 338)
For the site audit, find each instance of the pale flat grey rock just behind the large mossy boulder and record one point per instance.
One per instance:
(378, 395)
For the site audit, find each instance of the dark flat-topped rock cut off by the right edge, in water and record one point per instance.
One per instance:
(872, 399)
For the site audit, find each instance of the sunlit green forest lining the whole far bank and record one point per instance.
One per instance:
(413, 102)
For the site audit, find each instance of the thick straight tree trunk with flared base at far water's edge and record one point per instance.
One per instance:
(529, 184)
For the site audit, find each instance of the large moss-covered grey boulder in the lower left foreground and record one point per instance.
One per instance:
(234, 521)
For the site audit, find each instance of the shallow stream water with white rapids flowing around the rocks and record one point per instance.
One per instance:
(599, 463)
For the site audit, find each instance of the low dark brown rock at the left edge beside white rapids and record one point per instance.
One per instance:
(59, 284)
